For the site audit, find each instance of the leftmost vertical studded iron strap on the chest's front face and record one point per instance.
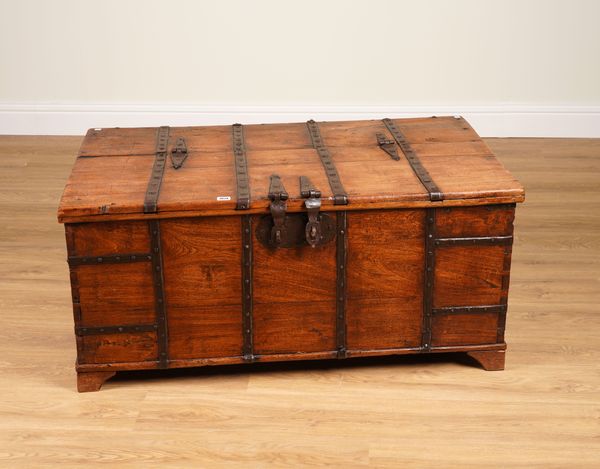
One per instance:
(159, 294)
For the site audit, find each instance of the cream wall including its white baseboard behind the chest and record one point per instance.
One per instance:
(522, 67)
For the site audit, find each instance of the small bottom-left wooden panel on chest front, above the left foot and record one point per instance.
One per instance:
(118, 348)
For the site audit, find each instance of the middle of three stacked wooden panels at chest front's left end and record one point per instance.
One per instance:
(116, 294)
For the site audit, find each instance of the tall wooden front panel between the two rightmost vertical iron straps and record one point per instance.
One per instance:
(385, 279)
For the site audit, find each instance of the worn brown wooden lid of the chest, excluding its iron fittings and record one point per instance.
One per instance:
(458, 160)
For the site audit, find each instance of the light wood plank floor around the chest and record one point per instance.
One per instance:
(542, 411)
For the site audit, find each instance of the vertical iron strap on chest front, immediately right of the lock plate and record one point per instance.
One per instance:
(341, 262)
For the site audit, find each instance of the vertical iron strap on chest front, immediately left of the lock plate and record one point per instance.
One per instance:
(248, 345)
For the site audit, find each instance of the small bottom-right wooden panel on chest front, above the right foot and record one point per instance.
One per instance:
(464, 329)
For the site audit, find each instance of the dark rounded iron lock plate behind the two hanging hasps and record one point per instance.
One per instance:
(295, 227)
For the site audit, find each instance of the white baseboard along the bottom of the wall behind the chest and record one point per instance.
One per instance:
(496, 120)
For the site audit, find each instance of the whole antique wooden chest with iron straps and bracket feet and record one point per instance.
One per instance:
(192, 246)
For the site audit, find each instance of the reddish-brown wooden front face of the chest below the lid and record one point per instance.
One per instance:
(387, 304)
